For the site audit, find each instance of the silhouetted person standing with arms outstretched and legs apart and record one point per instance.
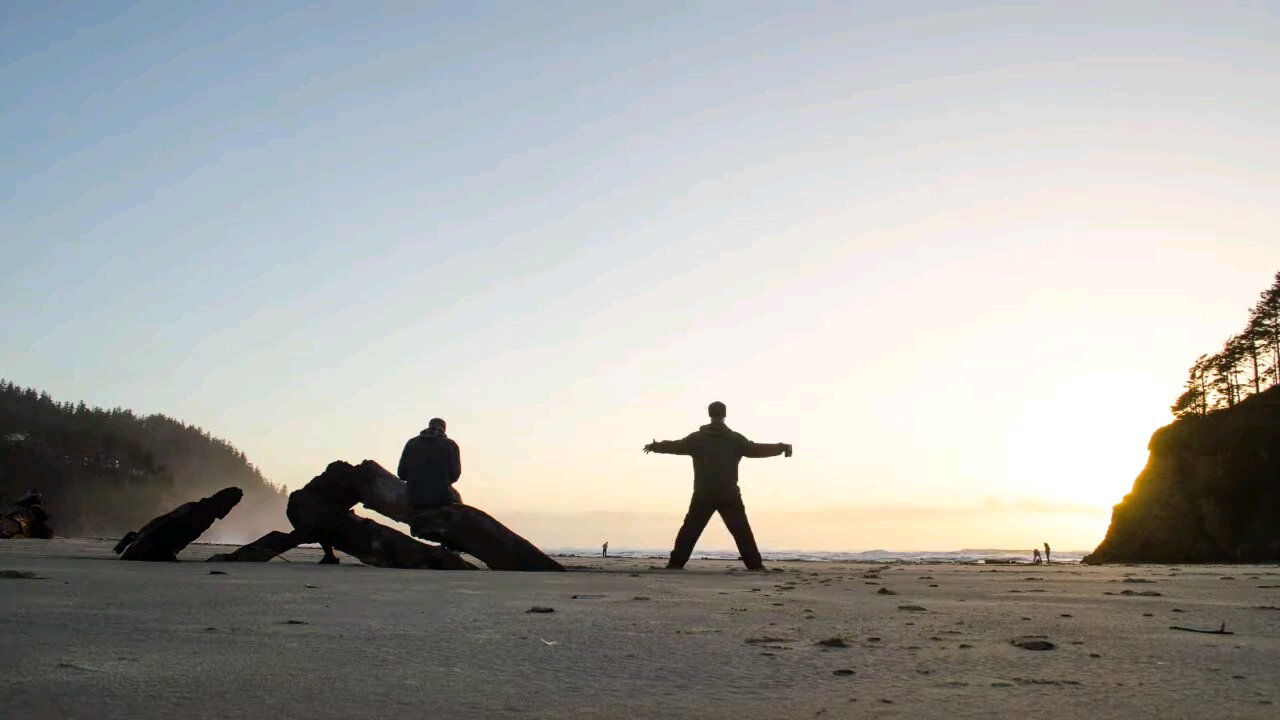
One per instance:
(716, 452)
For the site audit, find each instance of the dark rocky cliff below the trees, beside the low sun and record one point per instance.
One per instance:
(1210, 493)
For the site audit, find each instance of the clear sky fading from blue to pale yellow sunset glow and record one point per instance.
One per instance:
(961, 257)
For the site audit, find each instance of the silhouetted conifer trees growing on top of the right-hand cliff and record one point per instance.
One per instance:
(1249, 363)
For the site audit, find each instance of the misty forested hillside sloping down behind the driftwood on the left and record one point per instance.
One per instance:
(106, 472)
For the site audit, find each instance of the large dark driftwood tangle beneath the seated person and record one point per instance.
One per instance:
(456, 527)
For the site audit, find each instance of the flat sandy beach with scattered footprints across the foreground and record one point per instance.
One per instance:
(95, 637)
